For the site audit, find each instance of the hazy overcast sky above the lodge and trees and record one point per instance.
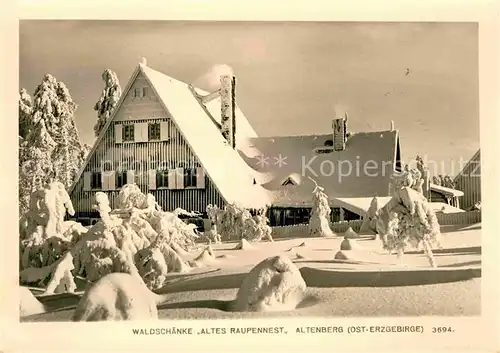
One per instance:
(293, 77)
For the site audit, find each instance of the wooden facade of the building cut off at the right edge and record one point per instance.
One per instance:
(469, 181)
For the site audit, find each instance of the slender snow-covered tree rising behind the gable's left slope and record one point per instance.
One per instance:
(109, 98)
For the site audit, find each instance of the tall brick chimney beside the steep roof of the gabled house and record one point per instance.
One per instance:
(228, 107)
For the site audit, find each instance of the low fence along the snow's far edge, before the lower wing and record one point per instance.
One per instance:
(444, 219)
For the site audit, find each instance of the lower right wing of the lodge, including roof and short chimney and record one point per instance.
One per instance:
(348, 167)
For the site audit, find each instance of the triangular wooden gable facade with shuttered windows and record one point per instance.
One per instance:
(143, 146)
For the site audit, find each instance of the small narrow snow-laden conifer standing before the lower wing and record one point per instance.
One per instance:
(319, 225)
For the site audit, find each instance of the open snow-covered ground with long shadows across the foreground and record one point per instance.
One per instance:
(370, 283)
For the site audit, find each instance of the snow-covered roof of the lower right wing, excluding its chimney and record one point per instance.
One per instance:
(370, 157)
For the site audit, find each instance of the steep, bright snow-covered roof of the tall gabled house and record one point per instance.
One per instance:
(230, 175)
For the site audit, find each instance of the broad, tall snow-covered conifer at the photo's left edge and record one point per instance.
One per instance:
(51, 148)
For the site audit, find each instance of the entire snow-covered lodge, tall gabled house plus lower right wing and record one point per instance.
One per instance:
(191, 148)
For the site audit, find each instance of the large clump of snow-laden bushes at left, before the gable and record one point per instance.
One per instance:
(129, 239)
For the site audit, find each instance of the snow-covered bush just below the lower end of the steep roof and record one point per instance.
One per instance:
(235, 222)
